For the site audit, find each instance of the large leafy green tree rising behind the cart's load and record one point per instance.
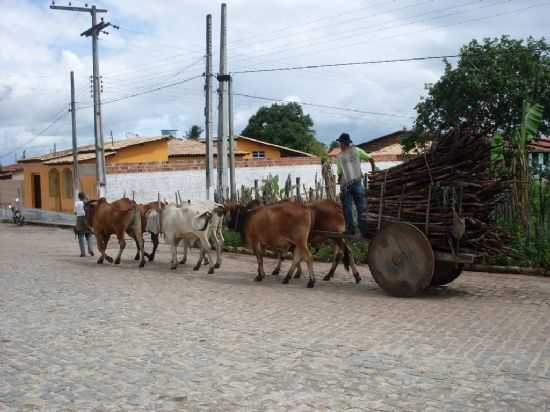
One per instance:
(487, 87)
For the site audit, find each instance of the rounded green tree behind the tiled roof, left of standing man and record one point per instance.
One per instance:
(285, 124)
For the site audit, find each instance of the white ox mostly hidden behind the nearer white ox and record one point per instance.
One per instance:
(215, 235)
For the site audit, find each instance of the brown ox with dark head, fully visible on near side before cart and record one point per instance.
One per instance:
(280, 226)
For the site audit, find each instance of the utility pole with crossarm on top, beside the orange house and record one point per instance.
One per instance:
(93, 32)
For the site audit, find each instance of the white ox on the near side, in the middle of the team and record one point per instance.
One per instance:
(189, 223)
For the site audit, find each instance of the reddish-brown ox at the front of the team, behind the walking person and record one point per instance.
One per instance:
(120, 217)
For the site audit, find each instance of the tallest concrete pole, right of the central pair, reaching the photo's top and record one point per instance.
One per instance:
(223, 78)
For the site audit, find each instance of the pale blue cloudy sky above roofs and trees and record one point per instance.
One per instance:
(161, 42)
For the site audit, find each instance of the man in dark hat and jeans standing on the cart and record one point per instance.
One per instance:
(350, 178)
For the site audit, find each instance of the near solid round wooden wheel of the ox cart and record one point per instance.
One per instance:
(401, 260)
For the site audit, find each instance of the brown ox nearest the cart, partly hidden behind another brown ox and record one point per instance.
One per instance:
(327, 217)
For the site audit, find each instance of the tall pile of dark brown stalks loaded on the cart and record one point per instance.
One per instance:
(448, 185)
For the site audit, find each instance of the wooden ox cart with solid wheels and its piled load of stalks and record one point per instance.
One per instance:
(432, 214)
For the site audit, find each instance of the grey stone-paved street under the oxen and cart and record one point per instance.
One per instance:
(77, 336)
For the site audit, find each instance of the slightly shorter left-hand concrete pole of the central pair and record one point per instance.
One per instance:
(208, 110)
